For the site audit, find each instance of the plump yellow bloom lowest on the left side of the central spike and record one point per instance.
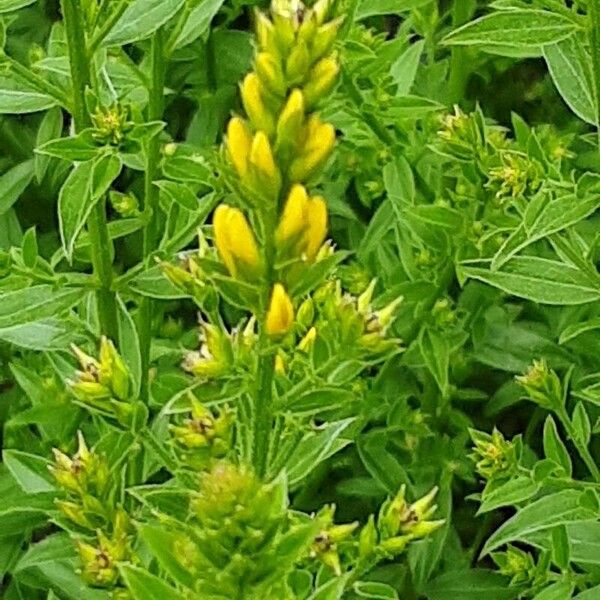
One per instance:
(235, 241)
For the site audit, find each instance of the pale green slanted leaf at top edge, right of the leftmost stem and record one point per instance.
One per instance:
(141, 19)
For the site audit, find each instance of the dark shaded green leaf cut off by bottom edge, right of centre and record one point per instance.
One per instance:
(470, 584)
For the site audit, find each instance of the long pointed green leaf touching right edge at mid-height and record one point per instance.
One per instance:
(537, 279)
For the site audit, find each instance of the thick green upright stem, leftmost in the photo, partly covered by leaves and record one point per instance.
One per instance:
(98, 230)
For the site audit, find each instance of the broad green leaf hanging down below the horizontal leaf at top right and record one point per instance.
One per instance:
(570, 65)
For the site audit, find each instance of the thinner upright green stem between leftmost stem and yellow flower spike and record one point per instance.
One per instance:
(155, 112)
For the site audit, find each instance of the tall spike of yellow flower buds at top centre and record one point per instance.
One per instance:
(276, 149)
